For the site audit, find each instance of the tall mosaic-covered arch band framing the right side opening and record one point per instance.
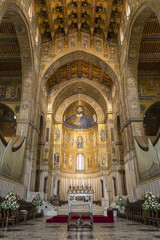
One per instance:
(135, 35)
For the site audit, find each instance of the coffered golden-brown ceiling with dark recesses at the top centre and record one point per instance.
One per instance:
(59, 18)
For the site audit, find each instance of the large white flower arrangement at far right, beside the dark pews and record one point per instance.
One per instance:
(151, 203)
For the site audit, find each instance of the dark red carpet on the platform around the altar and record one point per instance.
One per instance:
(96, 218)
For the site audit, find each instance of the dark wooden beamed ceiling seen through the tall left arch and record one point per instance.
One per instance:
(10, 59)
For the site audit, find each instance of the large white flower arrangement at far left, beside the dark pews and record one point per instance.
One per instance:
(10, 202)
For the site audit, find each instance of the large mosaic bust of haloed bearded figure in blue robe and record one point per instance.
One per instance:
(79, 120)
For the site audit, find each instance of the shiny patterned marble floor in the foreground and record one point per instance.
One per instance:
(121, 229)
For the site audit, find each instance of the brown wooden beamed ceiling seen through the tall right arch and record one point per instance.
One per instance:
(149, 55)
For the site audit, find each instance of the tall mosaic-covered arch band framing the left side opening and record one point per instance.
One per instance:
(16, 13)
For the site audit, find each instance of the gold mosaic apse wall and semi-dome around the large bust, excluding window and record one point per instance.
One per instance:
(70, 140)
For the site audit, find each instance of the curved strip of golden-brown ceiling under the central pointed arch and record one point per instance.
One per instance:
(79, 69)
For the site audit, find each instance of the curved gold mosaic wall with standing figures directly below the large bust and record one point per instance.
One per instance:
(80, 141)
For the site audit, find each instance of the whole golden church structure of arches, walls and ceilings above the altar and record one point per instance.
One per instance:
(80, 97)
